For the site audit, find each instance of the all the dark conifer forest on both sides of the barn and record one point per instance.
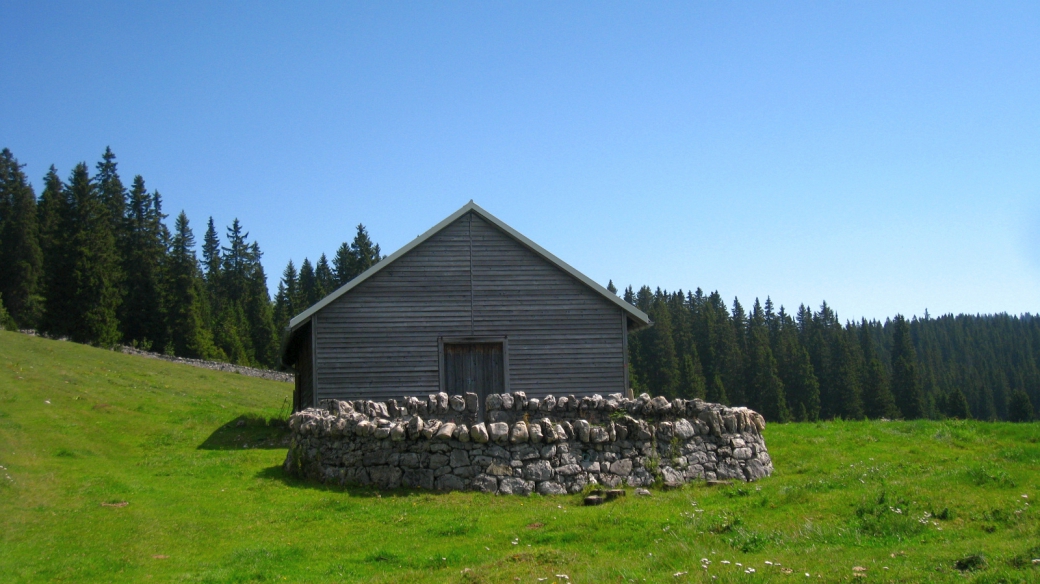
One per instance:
(96, 262)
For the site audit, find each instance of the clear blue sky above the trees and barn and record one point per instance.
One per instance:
(883, 157)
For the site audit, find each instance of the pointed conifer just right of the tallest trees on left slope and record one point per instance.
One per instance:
(190, 335)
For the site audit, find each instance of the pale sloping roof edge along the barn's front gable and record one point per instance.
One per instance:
(638, 317)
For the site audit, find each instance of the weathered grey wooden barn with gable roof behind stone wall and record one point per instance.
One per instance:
(471, 306)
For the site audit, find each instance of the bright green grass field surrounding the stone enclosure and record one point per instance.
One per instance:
(117, 468)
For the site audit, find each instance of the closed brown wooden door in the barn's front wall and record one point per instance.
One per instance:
(475, 367)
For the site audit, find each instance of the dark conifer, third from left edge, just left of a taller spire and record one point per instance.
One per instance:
(95, 264)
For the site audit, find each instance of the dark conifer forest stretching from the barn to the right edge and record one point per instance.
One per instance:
(809, 365)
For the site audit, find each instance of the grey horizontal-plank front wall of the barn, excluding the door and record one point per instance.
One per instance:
(380, 340)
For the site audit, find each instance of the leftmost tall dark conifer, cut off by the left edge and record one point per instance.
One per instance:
(21, 277)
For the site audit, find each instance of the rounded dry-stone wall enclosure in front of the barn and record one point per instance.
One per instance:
(551, 446)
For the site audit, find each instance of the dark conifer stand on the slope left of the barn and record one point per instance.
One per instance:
(95, 262)
